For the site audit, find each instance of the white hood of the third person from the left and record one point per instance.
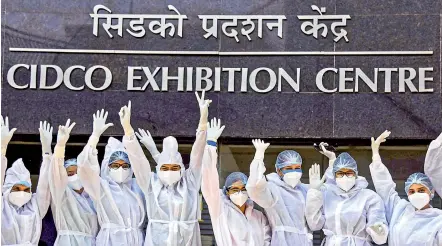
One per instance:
(113, 145)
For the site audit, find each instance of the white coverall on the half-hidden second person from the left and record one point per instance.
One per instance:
(75, 216)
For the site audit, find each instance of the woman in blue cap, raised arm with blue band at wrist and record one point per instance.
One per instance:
(234, 220)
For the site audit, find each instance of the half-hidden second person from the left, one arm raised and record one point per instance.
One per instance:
(74, 212)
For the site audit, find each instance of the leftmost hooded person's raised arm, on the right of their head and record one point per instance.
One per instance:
(43, 191)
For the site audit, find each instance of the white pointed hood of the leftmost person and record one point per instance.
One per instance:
(16, 174)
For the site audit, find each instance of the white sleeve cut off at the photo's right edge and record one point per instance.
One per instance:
(433, 164)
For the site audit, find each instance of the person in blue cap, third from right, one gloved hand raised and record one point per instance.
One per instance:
(282, 196)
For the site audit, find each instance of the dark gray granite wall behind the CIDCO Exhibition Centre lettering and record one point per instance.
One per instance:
(375, 25)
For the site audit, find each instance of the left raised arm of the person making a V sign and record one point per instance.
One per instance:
(138, 160)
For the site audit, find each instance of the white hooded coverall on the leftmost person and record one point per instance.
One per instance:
(22, 226)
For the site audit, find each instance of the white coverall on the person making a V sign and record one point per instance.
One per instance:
(172, 210)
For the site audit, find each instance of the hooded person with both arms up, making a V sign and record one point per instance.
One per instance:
(171, 193)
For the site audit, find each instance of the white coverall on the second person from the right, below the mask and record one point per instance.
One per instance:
(345, 216)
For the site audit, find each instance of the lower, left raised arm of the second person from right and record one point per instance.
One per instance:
(315, 201)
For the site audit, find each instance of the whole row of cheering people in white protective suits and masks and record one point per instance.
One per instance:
(124, 202)
